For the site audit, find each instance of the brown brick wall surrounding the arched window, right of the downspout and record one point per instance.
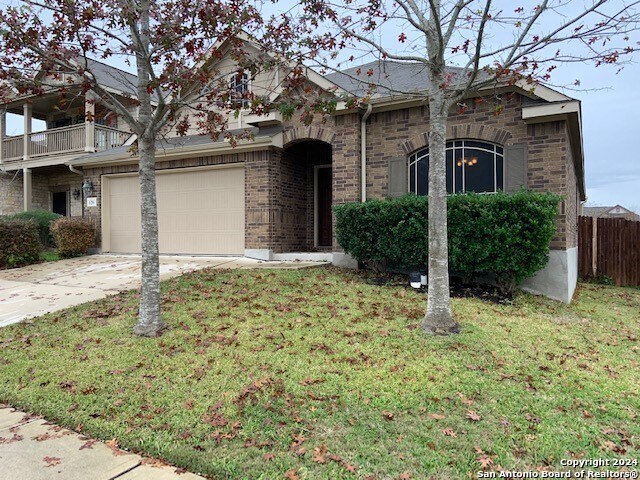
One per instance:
(400, 132)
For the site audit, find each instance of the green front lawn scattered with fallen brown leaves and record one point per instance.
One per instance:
(323, 373)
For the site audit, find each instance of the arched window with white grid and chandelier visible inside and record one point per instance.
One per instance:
(472, 166)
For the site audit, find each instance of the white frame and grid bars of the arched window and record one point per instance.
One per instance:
(454, 146)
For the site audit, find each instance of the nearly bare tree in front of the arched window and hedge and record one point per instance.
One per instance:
(493, 43)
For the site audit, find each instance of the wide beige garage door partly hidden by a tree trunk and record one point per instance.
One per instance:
(199, 212)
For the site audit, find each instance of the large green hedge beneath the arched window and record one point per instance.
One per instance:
(506, 235)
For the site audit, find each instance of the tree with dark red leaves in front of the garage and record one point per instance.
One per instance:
(171, 44)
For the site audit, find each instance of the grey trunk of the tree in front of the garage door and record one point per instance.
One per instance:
(149, 321)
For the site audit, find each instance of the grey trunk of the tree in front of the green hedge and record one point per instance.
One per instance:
(438, 320)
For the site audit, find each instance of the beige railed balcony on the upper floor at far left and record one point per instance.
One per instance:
(61, 141)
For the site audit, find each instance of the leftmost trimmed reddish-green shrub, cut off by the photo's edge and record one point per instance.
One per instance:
(19, 243)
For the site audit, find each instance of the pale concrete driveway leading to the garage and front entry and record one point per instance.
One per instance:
(48, 287)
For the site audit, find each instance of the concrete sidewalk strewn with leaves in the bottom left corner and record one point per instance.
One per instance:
(33, 449)
